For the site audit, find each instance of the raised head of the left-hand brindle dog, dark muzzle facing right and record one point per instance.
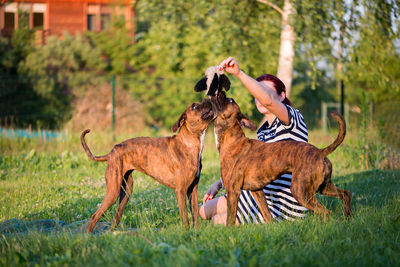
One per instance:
(196, 117)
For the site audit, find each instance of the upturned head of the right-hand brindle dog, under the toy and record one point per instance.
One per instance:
(228, 114)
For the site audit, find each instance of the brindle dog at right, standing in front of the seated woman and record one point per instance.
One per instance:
(250, 164)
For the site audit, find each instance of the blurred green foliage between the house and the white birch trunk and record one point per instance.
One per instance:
(172, 55)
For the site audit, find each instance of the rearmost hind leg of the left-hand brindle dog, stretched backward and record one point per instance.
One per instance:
(113, 188)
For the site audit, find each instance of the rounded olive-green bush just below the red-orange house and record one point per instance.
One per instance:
(60, 70)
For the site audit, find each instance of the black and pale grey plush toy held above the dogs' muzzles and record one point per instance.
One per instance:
(214, 82)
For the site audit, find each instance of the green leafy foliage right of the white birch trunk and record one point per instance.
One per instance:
(365, 32)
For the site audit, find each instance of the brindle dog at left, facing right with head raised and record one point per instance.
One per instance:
(173, 161)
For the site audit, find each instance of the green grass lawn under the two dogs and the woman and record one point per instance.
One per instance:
(55, 180)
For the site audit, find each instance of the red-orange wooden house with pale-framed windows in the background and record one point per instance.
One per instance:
(53, 17)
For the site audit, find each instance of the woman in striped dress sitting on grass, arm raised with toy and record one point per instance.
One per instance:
(283, 122)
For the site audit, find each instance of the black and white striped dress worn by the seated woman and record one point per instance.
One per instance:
(281, 203)
